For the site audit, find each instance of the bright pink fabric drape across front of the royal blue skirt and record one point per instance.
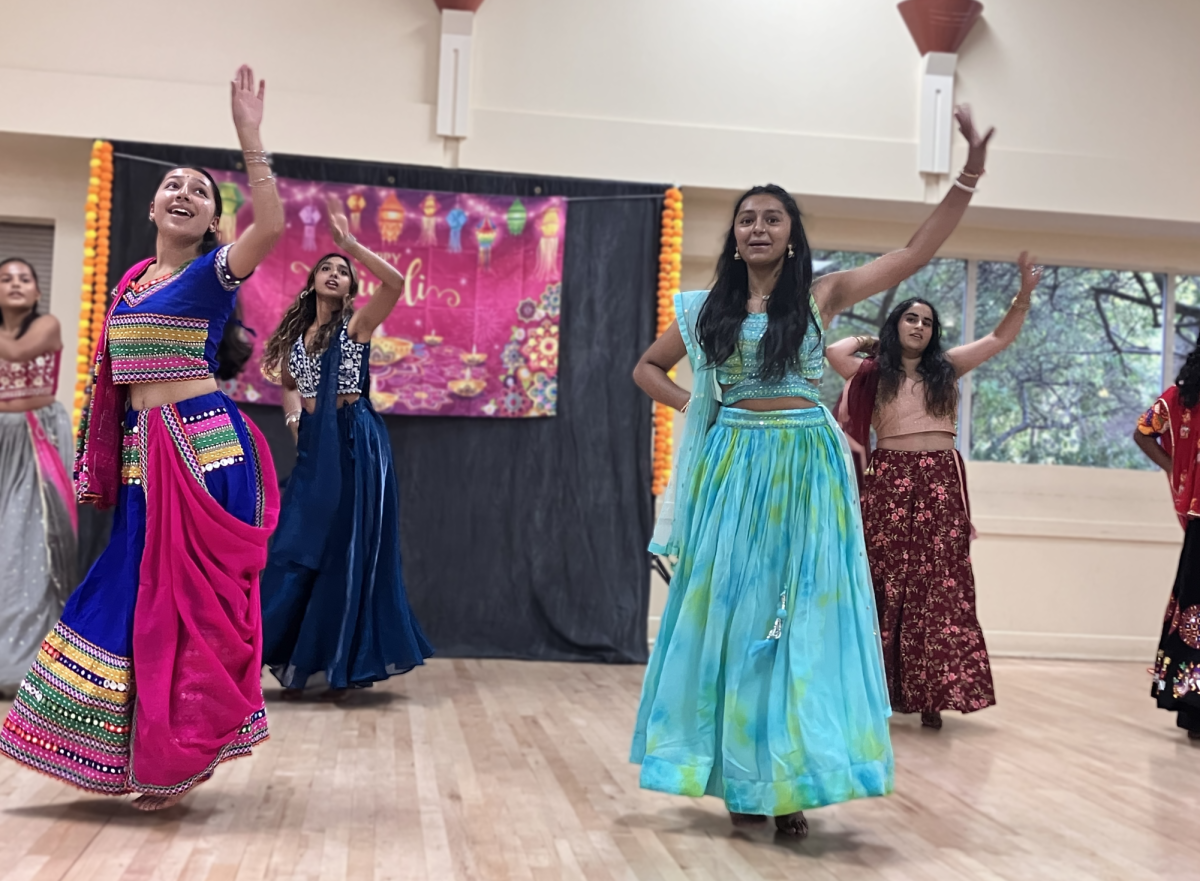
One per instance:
(197, 626)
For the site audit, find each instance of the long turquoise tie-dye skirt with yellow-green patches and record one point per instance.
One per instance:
(766, 685)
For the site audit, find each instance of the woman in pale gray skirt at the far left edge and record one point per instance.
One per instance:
(38, 511)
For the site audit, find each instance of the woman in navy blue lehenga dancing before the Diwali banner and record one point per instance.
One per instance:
(335, 610)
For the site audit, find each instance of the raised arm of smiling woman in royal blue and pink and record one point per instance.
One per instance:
(260, 238)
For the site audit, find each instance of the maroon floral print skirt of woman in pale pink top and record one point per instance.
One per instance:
(919, 543)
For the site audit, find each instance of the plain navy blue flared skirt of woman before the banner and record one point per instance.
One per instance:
(335, 610)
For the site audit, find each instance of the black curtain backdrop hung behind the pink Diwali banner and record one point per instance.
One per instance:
(521, 538)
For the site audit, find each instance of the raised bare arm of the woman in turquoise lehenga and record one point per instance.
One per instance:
(838, 292)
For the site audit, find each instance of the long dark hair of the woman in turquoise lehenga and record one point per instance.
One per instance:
(788, 310)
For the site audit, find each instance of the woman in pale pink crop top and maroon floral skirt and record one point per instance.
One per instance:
(916, 513)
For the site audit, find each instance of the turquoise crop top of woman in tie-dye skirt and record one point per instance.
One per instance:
(740, 375)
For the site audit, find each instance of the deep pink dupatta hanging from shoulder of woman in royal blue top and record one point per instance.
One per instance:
(99, 456)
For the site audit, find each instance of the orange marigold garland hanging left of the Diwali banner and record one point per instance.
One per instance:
(94, 293)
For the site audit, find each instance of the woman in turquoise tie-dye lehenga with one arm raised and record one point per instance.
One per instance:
(766, 686)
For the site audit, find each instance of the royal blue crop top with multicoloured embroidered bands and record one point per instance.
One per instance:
(169, 331)
